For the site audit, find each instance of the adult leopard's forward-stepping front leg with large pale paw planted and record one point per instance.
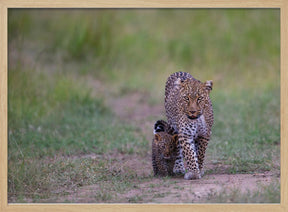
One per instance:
(190, 155)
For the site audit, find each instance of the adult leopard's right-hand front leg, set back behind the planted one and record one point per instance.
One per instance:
(201, 146)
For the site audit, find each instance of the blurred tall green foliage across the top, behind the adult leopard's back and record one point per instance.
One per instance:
(231, 46)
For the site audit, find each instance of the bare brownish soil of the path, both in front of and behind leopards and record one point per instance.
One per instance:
(133, 108)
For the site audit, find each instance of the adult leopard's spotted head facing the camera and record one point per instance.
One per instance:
(194, 96)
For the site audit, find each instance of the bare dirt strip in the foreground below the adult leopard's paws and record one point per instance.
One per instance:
(179, 190)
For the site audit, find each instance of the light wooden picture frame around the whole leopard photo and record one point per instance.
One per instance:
(5, 4)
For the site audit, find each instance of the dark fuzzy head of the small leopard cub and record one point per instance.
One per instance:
(167, 144)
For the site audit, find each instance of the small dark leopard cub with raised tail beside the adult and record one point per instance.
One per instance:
(164, 149)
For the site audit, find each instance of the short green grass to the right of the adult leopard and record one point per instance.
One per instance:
(246, 134)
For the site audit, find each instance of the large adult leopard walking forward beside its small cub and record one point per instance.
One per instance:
(189, 111)
